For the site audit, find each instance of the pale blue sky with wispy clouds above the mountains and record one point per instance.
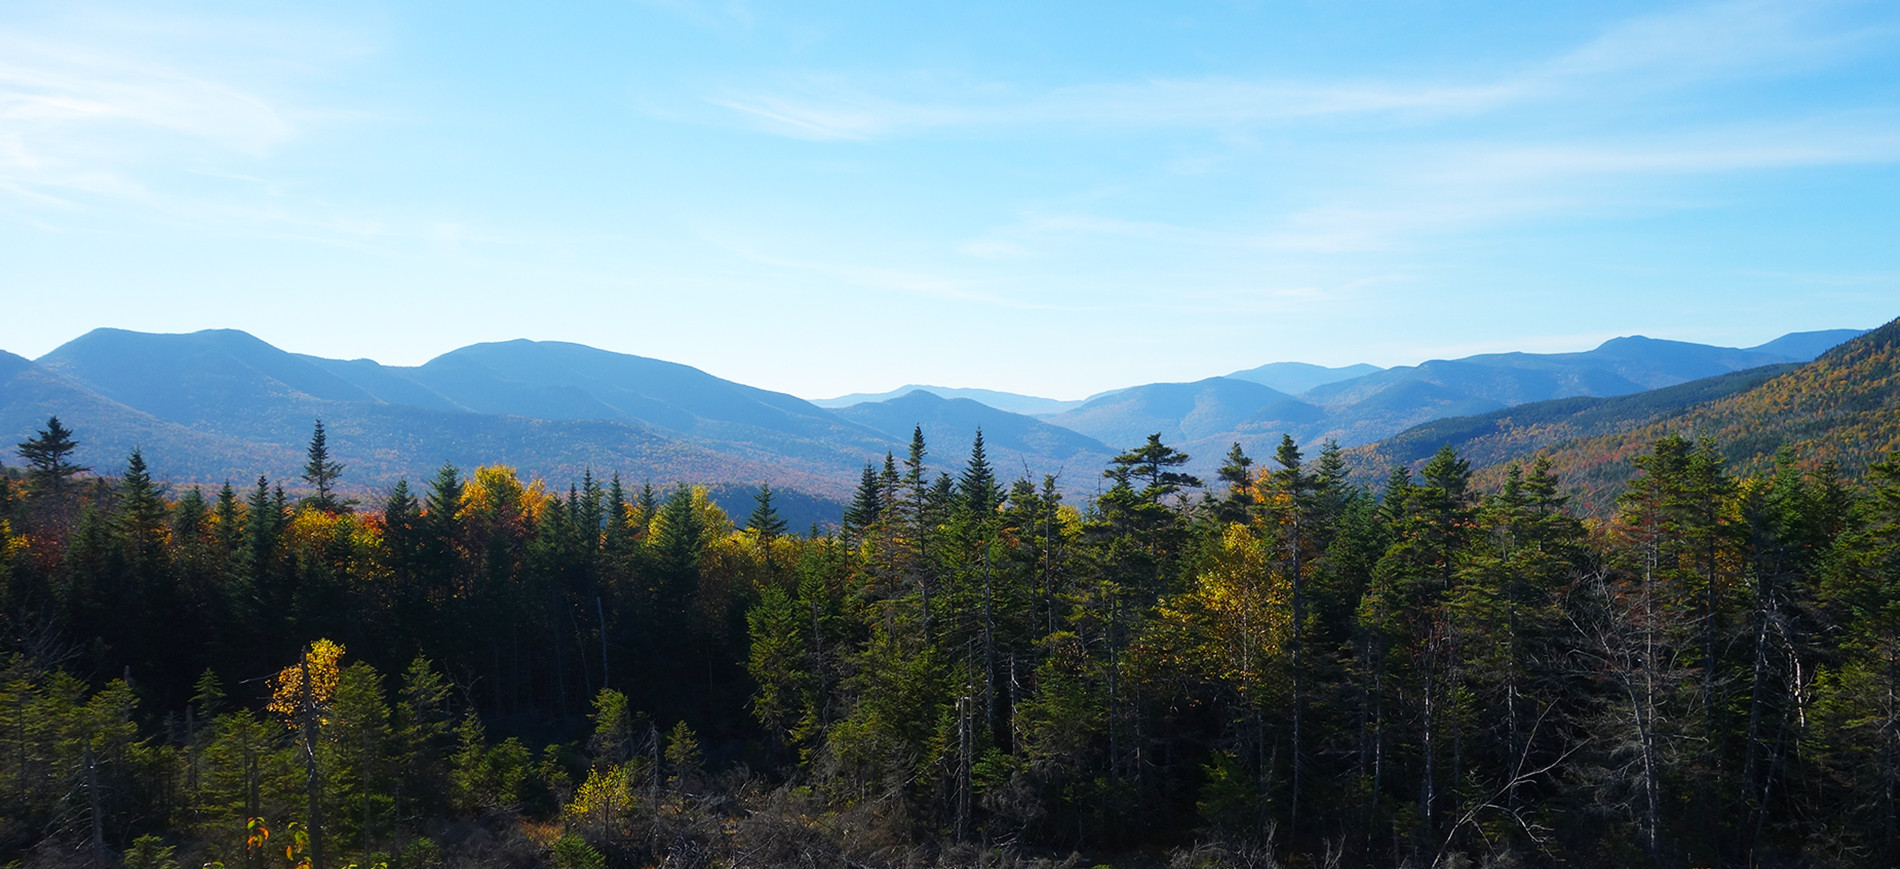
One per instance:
(1050, 199)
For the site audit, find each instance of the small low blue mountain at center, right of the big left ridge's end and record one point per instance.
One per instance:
(1012, 442)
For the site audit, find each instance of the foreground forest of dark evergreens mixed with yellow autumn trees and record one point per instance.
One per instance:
(1264, 668)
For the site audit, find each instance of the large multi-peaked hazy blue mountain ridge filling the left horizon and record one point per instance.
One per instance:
(225, 393)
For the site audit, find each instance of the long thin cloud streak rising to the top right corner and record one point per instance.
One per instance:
(1646, 54)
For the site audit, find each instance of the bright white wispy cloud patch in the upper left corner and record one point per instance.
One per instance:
(178, 123)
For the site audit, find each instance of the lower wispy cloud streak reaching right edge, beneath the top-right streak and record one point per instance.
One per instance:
(1454, 187)
